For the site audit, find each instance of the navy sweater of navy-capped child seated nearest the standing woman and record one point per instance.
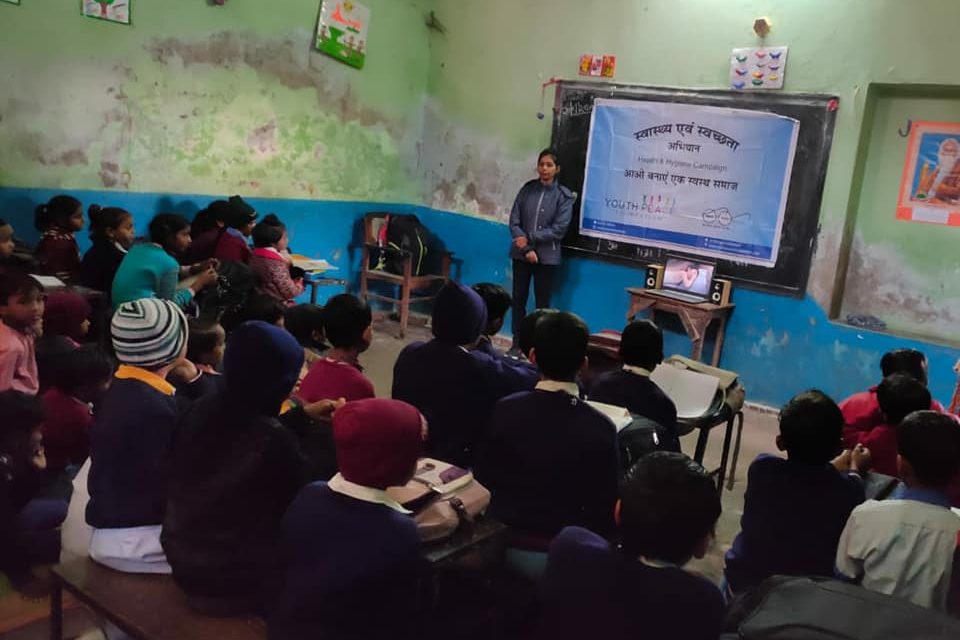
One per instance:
(455, 390)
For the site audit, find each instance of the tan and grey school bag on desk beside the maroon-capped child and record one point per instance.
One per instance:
(442, 497)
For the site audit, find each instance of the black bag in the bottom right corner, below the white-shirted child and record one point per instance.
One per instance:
(797, 608)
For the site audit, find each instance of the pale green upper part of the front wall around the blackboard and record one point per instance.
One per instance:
(481, 134)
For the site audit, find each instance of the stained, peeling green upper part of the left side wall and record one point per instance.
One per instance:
(199, 99)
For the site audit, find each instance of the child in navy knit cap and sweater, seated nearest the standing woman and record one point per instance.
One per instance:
(454, 387)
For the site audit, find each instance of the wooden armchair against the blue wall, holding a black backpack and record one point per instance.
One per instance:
(407, 282)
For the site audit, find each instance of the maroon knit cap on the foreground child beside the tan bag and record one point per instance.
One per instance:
(378, 441)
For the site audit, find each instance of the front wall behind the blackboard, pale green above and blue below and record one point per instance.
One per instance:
(481, 136)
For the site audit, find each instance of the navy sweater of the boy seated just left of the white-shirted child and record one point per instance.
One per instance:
(793, 515)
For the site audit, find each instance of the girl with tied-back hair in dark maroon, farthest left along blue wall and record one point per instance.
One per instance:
(57, 253)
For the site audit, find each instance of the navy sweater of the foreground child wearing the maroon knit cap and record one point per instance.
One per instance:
(353, 570)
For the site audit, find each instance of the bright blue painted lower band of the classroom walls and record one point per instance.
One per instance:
(779, 345)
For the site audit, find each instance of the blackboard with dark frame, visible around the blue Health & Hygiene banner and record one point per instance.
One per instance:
(816, 113)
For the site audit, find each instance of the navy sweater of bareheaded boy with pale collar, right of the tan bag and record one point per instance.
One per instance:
(550, 461)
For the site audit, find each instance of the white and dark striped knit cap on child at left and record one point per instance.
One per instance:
(148, 333)
